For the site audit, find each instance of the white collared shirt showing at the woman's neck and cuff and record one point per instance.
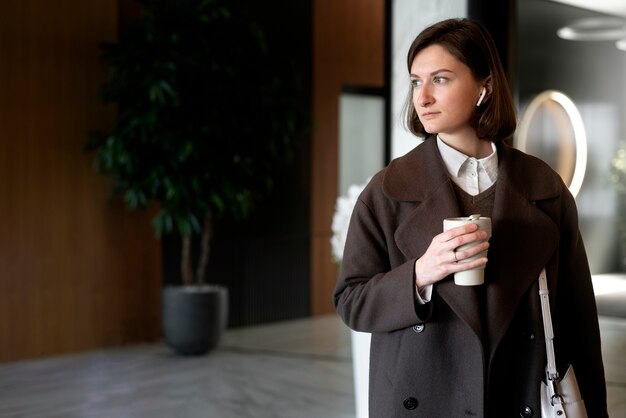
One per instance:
(471, 175)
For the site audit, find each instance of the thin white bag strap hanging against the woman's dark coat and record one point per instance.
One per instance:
(552, 374)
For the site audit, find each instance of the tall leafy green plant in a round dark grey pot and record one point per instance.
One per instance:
(202, 124)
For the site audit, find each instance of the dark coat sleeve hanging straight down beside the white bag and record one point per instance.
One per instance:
(577, 334)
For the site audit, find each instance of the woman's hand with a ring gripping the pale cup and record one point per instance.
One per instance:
(441, 259)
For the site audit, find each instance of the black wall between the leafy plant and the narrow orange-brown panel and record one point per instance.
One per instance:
(265, 261)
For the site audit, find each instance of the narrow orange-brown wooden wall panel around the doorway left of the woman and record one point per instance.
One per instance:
(348, 49)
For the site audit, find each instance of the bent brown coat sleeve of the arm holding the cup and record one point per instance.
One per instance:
(371, 295)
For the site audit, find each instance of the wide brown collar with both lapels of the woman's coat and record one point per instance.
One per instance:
(524, 237)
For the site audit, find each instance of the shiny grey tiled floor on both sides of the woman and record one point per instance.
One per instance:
(292, 369)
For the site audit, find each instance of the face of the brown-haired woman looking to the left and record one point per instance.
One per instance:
(445, 92)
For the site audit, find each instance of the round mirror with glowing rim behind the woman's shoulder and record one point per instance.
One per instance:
(552, 129)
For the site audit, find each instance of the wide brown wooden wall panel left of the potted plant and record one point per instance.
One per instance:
(77, 271)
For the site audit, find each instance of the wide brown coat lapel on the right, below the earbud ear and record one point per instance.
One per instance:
(523, 241)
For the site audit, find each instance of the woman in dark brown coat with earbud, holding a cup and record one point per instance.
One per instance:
(442, 350)
